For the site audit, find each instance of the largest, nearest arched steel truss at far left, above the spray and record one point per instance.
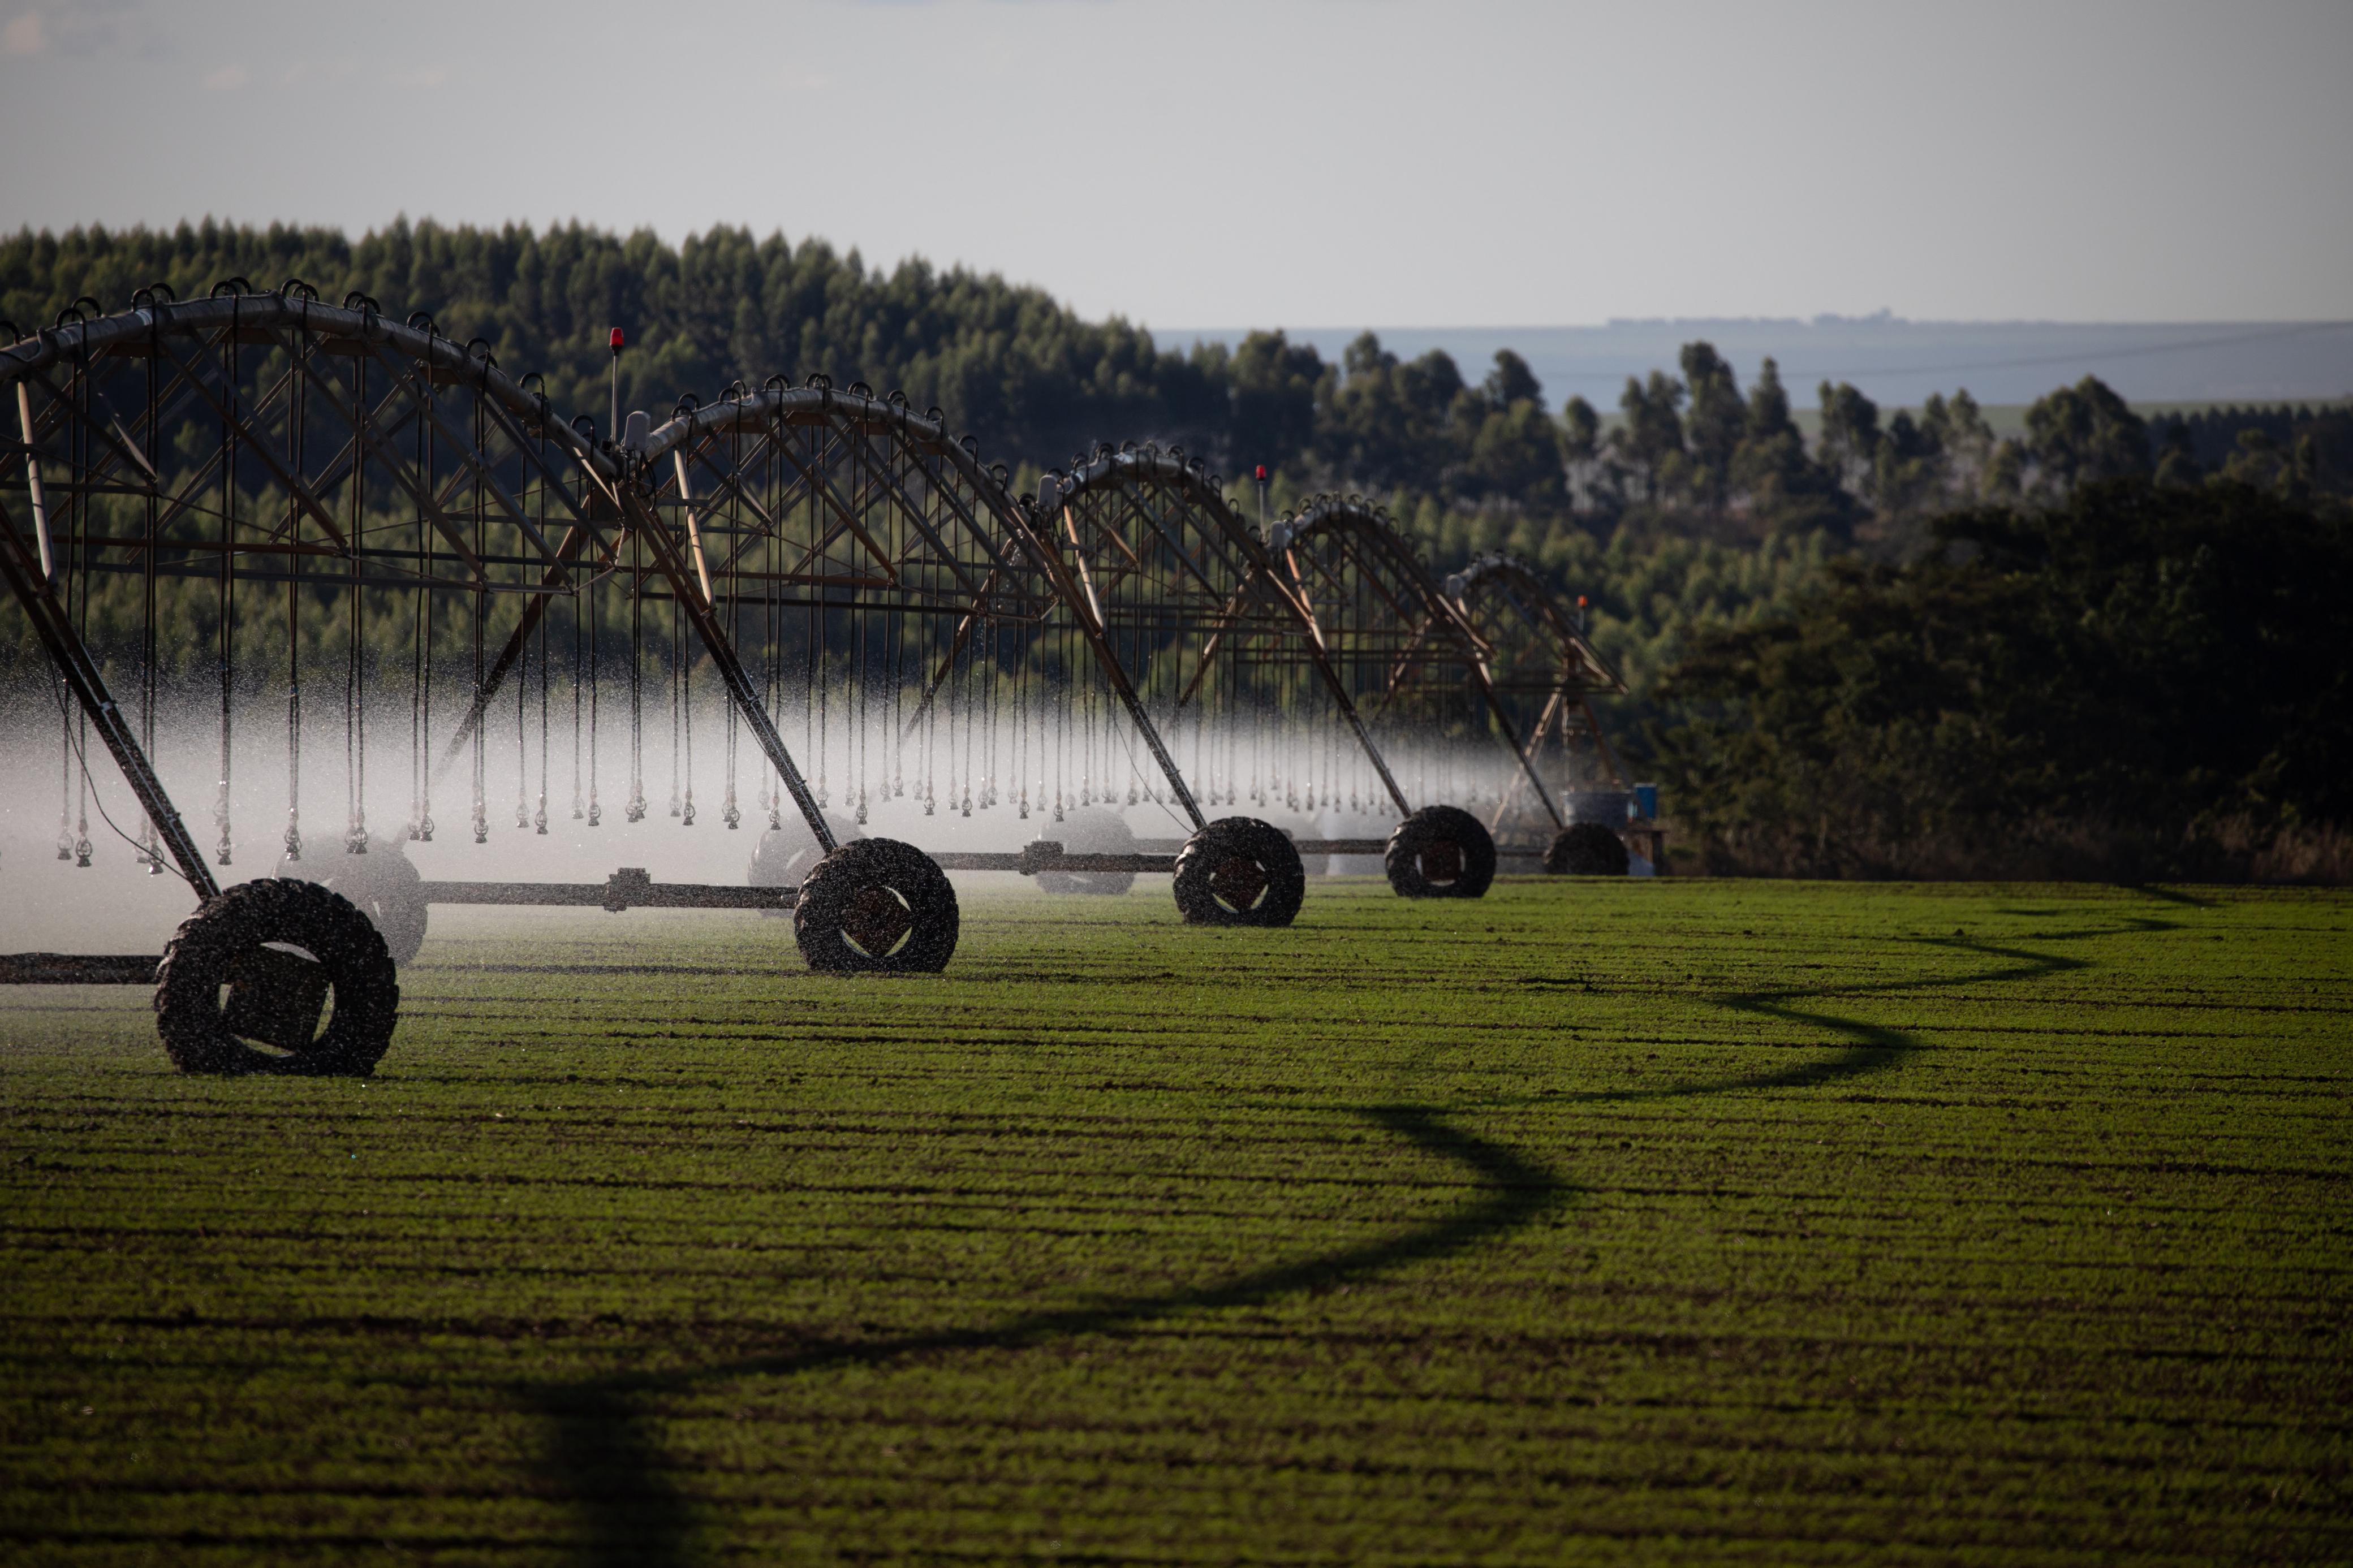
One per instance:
(300, 420)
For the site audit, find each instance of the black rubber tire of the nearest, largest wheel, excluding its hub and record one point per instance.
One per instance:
(302, 916)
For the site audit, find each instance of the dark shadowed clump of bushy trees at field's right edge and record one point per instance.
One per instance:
(2091, 685)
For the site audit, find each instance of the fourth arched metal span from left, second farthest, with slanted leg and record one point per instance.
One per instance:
(1385, 624)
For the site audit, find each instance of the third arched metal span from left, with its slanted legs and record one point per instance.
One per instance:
(1180, 589)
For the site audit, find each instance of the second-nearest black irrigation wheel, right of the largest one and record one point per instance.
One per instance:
(876, 909)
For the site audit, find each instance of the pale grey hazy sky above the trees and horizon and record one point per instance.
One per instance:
(1272, 163)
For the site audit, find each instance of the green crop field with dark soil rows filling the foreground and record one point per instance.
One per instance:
(1653, 1221)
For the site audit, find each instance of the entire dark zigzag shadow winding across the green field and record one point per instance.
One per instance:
(608, 1461)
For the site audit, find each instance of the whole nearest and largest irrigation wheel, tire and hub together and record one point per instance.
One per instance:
(284, 951)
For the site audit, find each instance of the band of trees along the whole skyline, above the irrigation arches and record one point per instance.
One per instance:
(1034, 382)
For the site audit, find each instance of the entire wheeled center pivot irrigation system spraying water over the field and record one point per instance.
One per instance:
(874, 603)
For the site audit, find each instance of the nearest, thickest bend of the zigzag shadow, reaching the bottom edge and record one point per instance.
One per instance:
(606, 1459)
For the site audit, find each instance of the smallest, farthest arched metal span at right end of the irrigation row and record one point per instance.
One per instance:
(1540, 666)
